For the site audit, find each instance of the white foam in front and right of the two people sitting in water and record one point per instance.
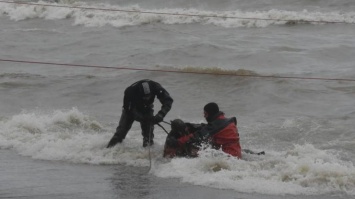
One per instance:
(303, 170)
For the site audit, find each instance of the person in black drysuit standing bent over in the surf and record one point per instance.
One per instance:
(138, 106)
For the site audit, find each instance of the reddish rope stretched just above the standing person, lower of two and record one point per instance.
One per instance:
(175, 71)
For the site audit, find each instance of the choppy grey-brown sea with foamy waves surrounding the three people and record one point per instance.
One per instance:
(65, 114)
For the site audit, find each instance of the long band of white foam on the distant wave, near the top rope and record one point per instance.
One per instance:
(119, 16)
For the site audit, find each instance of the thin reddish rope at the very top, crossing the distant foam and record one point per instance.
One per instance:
(174, 14)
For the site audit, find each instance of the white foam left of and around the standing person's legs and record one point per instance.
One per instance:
(71, 136)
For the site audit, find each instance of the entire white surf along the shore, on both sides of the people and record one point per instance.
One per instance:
(70, 135)
